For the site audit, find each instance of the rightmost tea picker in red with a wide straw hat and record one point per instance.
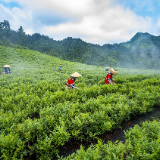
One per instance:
(108, 79)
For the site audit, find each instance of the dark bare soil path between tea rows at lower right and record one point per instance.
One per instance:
(117, 134)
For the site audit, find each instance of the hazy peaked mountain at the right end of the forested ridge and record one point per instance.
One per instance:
(145, 47)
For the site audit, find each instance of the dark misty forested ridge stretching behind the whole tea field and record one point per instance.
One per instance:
(143, 50)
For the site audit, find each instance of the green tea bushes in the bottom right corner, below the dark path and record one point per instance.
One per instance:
(141, 143)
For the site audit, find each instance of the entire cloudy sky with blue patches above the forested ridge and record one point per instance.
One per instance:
(94, 21)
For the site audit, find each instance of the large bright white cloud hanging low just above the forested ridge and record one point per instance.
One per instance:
(110, 25)
